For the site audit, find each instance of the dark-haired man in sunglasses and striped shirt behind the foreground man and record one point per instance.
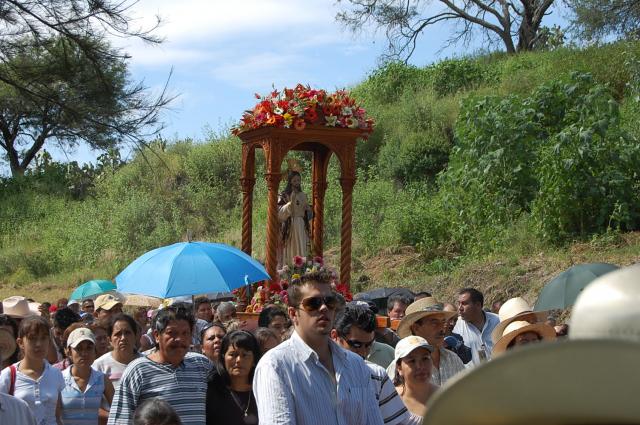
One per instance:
(354, 331)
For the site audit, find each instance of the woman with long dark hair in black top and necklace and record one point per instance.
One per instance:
(230, 399)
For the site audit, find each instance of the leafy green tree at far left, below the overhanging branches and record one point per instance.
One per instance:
(60, 95)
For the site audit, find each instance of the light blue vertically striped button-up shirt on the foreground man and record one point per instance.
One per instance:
(292, 387)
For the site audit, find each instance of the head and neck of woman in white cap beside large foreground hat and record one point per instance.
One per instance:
(413, 373)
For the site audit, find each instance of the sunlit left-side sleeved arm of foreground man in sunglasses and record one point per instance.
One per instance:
(273, 397)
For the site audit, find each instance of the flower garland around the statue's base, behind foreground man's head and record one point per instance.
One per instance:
(275, 293)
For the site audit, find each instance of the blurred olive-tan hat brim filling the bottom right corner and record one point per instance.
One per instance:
(551, 384)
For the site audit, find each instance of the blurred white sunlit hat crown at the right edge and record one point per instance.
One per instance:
(609, 307)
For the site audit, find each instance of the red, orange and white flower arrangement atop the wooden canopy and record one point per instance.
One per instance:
(302, 105)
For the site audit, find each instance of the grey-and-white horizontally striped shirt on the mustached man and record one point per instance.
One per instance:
(183, 387)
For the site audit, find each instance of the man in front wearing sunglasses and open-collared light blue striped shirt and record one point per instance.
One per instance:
(309, 379)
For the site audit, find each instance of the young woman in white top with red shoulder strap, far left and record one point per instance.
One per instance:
(33, 379)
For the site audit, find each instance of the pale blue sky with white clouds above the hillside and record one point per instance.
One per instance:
(218, 53)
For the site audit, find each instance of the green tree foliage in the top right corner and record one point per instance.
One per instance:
(595, 19)
